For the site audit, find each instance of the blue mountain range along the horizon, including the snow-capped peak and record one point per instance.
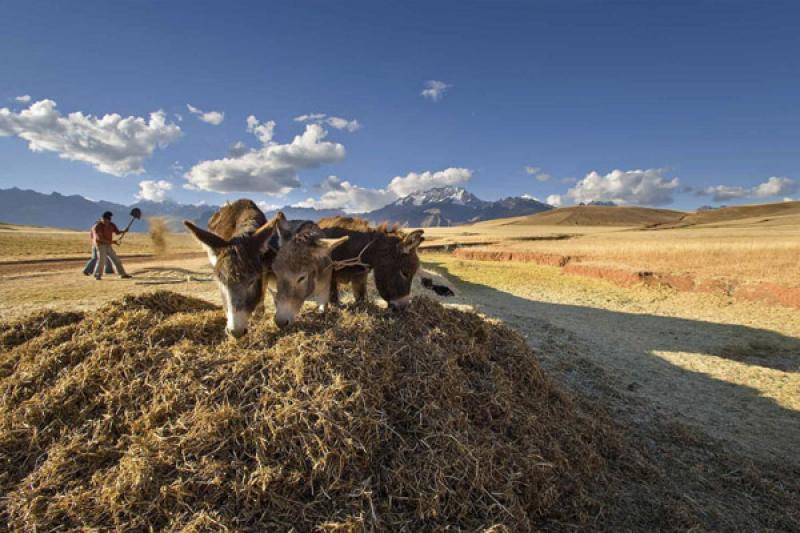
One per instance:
(443, 206)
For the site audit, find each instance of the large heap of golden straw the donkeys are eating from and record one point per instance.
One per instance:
(143, 415)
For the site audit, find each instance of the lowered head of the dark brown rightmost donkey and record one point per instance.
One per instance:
(395, 264)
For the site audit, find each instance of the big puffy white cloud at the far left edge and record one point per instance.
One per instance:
(111, 143)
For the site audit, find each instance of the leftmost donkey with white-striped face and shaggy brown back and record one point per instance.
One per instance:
(238, 248)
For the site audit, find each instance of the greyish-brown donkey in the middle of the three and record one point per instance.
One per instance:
(303, 269)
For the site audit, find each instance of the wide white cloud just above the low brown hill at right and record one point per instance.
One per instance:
(644, 187)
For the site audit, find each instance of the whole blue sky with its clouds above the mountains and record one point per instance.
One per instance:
(654, 103)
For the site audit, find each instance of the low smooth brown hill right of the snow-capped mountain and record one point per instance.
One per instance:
(597, 215)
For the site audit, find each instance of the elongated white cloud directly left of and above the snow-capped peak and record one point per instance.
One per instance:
(337, 194)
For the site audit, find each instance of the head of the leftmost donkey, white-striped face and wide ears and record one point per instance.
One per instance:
(238, 270)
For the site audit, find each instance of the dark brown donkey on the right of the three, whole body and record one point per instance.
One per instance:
(389, 252)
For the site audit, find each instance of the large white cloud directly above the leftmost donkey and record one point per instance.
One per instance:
(271, 168)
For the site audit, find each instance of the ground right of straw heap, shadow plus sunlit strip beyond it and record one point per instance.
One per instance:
(738, 382)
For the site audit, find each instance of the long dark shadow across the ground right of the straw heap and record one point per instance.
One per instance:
(638, 351)
